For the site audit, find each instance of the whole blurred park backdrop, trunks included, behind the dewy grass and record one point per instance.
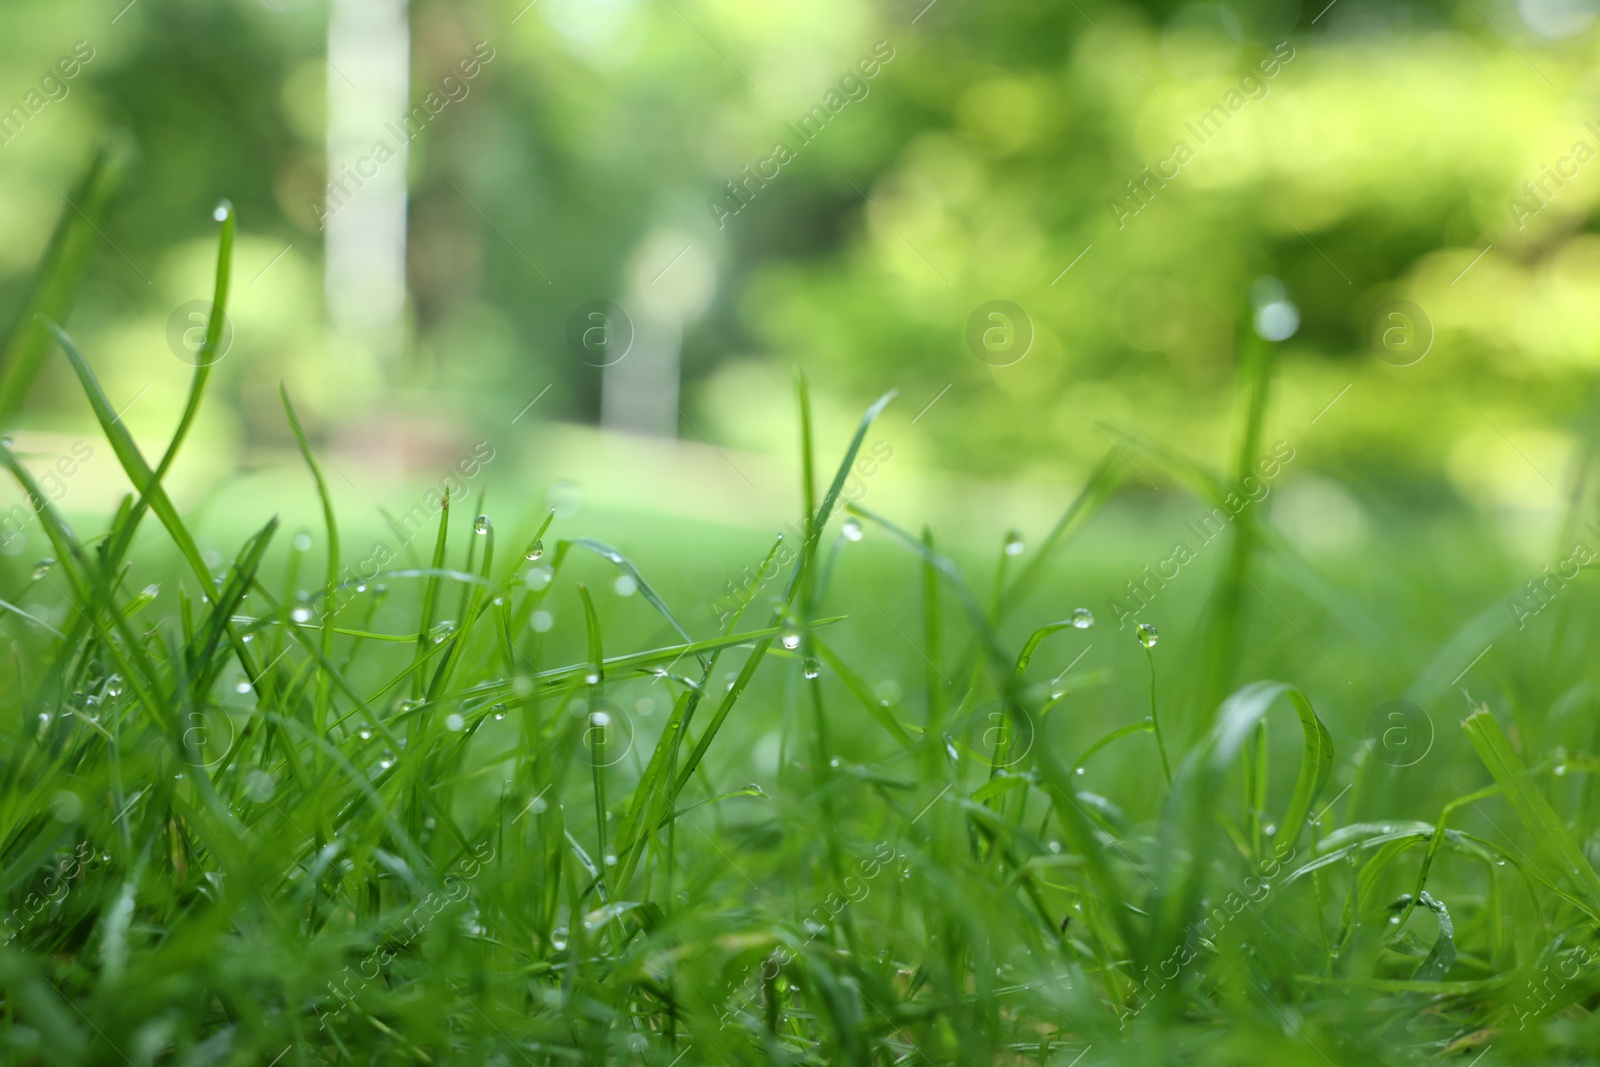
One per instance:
(1337, 164)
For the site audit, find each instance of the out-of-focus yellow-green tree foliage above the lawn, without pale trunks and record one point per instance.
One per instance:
(983, 161)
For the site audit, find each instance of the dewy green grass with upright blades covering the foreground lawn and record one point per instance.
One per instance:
(273, 813)
